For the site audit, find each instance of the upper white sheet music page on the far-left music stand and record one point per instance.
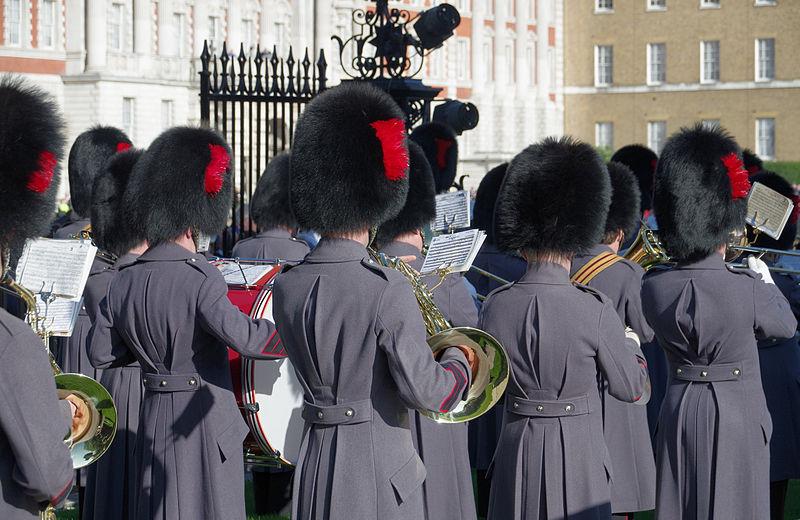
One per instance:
(57, 266)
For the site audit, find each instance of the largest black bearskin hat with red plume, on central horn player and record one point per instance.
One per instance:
(349, 160)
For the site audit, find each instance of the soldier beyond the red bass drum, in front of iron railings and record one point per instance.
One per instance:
(271, 211)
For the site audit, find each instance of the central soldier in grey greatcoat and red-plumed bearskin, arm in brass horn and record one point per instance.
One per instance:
(351, 328)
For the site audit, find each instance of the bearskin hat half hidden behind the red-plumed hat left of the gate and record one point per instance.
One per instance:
(110, 229)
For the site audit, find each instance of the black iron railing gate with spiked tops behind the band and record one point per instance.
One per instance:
(254, 100)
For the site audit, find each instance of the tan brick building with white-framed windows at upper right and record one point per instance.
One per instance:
(638, 70)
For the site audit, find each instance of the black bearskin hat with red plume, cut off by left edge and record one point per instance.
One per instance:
(31, 149)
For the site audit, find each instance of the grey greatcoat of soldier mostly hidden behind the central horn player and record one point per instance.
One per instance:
(447, 490)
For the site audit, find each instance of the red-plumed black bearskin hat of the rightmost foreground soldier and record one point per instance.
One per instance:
(701, 192)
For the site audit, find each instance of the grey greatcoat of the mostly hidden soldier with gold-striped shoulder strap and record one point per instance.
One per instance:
(624, 424)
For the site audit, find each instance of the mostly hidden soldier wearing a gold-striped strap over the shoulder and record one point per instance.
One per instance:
(624, 424)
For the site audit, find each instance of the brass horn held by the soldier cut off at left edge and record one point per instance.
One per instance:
(88, 448)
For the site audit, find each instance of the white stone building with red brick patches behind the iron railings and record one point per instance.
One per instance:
(134, 63)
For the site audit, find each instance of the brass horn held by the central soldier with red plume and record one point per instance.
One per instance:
(492, 376)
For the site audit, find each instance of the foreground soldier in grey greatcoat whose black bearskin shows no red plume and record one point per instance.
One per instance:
(551, 461)
